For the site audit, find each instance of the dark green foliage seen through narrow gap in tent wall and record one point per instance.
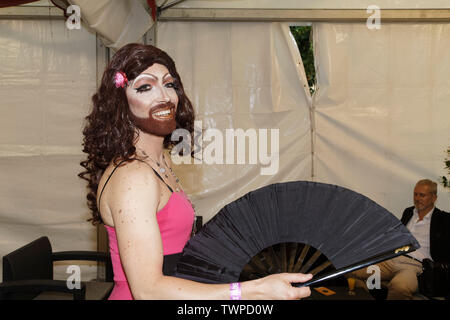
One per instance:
(303, 37)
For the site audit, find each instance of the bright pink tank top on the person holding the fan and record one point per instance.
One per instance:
(175, 222)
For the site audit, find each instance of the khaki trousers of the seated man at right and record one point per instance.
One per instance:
(400, 273)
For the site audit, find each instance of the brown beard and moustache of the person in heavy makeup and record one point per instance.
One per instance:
(162, 125)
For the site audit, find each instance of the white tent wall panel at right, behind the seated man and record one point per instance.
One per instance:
(381, 108)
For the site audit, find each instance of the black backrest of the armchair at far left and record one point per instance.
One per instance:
(32, 261)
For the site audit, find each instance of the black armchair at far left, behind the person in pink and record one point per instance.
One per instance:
(28, 274)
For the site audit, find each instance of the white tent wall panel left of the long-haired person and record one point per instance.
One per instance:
(47, 75)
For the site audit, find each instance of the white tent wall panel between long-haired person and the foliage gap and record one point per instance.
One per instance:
(241, 76)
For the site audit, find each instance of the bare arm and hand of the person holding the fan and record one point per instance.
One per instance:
(135, 200)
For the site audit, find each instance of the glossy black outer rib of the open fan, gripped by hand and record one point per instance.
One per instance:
(365, 263)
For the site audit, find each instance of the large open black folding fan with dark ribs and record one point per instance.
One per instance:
(297, 226)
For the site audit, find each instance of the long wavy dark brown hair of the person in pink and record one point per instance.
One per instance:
(109, 135)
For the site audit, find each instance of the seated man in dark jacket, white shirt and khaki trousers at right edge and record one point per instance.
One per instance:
(431, 227)
